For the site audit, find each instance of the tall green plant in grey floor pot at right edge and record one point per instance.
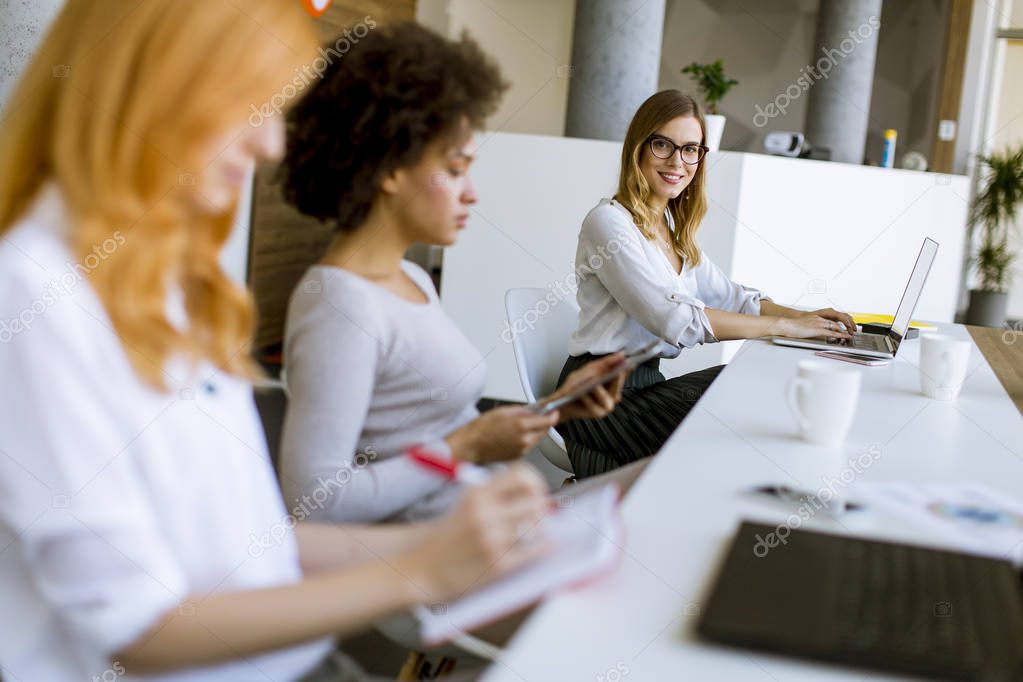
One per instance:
(994, 210)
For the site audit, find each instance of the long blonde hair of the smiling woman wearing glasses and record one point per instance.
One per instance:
(689, 209)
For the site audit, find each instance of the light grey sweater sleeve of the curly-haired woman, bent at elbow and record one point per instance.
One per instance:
(333, 353)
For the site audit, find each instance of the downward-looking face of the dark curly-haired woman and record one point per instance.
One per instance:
(431, 200)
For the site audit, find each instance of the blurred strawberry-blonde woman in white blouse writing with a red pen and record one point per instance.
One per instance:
(143, 534)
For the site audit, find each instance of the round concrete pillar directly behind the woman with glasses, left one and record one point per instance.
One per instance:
(616, 60)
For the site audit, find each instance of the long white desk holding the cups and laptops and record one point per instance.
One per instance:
(683, 513)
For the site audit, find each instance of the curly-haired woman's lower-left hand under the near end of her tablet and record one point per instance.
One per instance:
(501, 434)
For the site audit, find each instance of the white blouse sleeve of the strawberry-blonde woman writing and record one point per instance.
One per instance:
(74, 497)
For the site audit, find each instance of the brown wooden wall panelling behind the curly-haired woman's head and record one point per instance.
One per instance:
(283, 242)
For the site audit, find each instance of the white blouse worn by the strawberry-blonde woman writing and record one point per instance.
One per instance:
(118, 503)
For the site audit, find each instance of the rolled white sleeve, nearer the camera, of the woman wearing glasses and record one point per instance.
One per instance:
(610, 250)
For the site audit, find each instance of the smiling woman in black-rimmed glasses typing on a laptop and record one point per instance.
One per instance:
(643, 279)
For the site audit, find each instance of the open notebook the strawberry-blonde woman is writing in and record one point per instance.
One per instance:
(586, 534)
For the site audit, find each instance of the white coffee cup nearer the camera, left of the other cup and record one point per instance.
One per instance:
(824, 397)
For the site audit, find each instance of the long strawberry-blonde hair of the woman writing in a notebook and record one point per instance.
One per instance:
(119, 106)
